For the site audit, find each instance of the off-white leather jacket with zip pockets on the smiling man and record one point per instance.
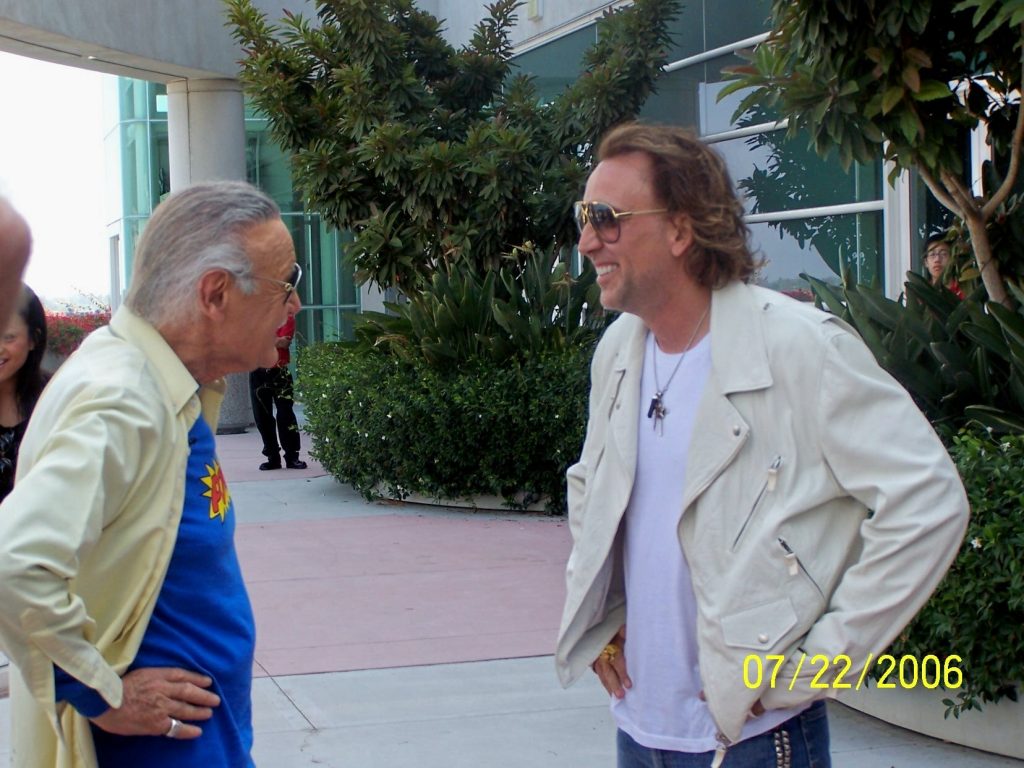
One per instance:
(821, 509)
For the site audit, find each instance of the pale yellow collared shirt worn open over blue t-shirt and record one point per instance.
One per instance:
(88, 534)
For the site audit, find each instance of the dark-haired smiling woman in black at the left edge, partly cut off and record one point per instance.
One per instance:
(22, 379)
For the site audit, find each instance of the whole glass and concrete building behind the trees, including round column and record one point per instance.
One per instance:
(188, 122)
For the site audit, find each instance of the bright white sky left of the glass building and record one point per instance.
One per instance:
(52, 169)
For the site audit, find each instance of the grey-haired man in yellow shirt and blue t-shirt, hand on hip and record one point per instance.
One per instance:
(122, 604)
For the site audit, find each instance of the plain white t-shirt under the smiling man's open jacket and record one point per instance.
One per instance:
(663, 710)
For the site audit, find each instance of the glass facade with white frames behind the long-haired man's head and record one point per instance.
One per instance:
(806, 216)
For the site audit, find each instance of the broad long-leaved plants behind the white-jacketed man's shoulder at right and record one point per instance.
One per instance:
(962, 362)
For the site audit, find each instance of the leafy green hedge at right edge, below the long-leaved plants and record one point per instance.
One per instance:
(978, 611)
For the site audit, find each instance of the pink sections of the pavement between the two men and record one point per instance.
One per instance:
(415, 587)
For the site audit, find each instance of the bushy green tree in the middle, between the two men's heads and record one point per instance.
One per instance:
(436, 157)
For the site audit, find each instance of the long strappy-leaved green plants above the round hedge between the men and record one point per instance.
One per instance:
(530, 306)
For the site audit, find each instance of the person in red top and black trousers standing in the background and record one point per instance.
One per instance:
(272, 390)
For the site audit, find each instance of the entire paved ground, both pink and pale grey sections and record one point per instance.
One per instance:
(402, 636)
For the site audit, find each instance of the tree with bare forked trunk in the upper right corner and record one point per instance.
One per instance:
(905, 78)
